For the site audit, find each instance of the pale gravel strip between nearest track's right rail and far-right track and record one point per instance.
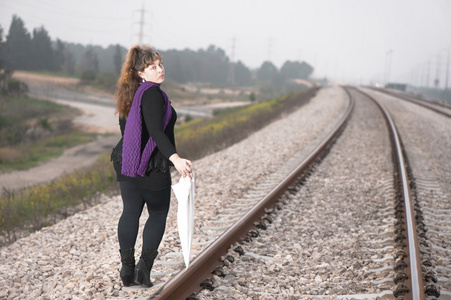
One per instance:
(426, 136)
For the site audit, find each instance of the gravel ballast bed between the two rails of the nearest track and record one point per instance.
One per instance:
(335, 235)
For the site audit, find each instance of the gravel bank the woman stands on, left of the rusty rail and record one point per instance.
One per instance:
(78, 258)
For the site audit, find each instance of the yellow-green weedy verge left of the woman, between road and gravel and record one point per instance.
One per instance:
(43, 204)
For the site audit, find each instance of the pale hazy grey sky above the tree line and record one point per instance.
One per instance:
(346, 41)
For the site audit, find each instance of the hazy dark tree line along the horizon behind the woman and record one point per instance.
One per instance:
(37, 52)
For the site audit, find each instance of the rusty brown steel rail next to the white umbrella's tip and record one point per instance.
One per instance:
(188, 280)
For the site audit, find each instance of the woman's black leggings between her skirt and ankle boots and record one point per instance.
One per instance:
(134, 197)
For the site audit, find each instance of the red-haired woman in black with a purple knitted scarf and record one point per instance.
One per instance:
(147, 120)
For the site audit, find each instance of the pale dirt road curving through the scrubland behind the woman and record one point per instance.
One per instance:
(97, 117)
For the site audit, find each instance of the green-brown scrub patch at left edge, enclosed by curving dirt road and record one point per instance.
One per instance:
(32, 131)
